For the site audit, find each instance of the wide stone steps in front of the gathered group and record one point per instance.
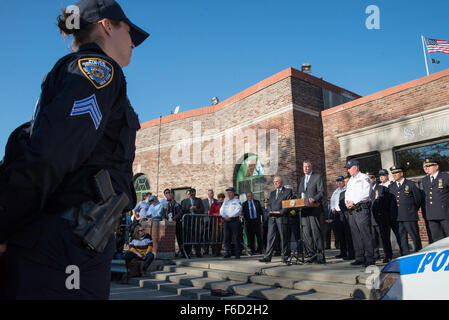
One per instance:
(248, 278)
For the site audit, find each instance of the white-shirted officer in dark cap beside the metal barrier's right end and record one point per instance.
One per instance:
(231, 211)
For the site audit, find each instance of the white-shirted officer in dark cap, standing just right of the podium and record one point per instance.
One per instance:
(358, 202)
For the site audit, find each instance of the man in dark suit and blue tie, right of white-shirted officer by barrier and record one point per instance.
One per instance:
(252, 215)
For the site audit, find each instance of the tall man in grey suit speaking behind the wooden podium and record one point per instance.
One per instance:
(311, 187)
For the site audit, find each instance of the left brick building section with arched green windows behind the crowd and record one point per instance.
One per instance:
(244, 141)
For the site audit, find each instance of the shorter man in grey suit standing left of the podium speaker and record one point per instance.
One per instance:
(275, 222)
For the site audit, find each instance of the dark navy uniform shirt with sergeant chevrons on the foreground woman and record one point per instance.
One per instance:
(84, 122)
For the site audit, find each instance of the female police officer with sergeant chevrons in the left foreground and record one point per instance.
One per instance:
(82, 124)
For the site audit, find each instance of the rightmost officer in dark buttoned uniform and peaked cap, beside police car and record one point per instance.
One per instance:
(436, 188)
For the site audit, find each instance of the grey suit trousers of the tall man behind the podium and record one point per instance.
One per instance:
(313, 241)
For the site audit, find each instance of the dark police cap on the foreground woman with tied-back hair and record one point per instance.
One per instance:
(95, 10)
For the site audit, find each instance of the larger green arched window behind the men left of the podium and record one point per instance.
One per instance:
(250, 177)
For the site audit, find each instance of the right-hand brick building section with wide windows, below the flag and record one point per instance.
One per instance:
(401, 125)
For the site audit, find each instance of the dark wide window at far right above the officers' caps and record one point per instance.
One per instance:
(412, 158)
